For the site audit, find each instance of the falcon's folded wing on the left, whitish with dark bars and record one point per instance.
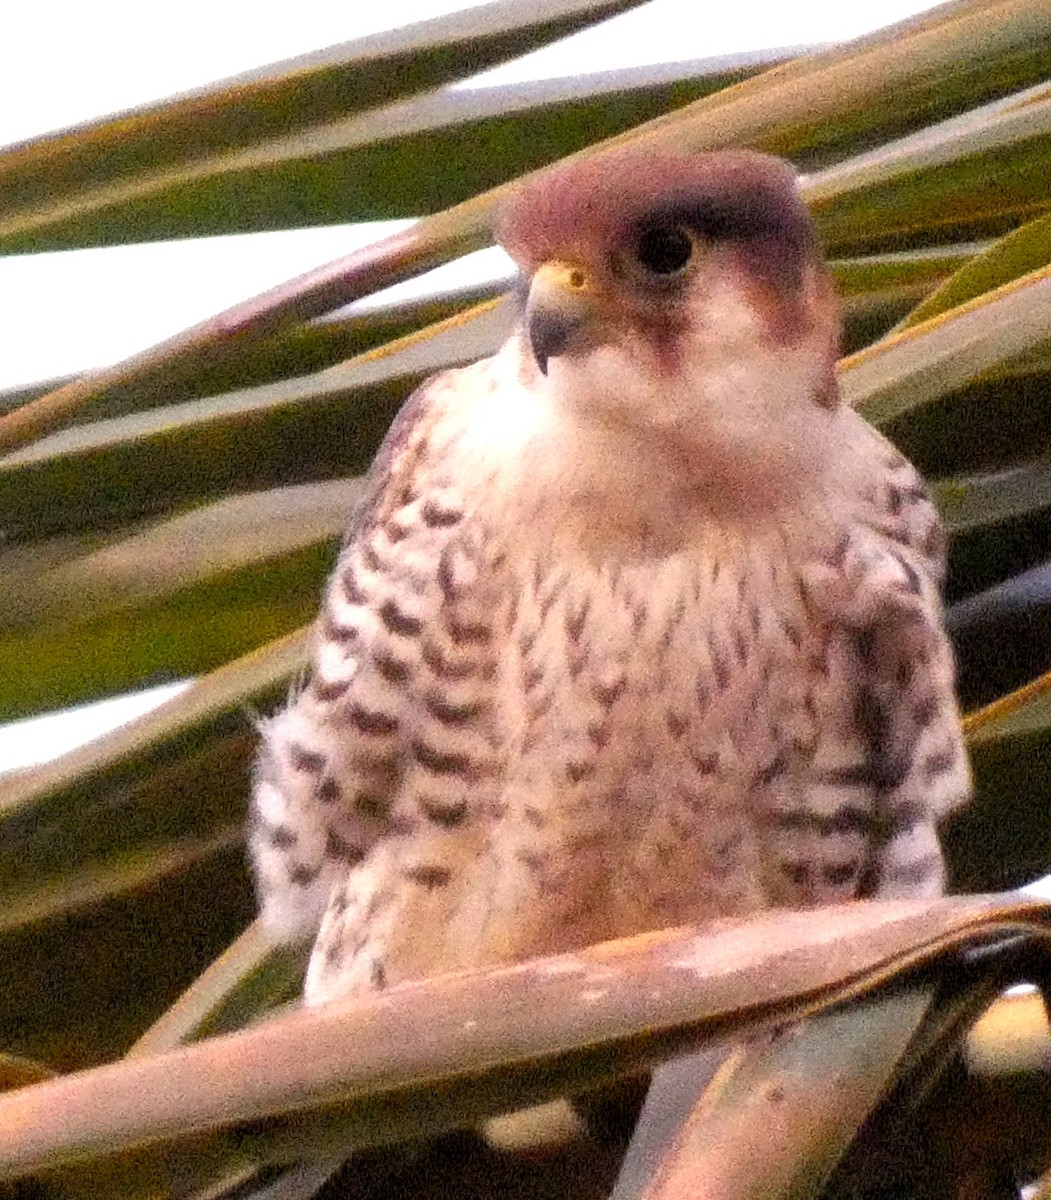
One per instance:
(400, 680)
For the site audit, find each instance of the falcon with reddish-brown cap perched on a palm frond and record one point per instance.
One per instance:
(638, 623)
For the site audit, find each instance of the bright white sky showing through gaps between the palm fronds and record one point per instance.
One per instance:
(68, 62)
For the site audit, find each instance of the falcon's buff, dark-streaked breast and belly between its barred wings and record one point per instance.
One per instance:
(660, 712)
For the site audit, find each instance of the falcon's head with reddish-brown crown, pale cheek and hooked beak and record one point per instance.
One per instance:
(677, 292)
